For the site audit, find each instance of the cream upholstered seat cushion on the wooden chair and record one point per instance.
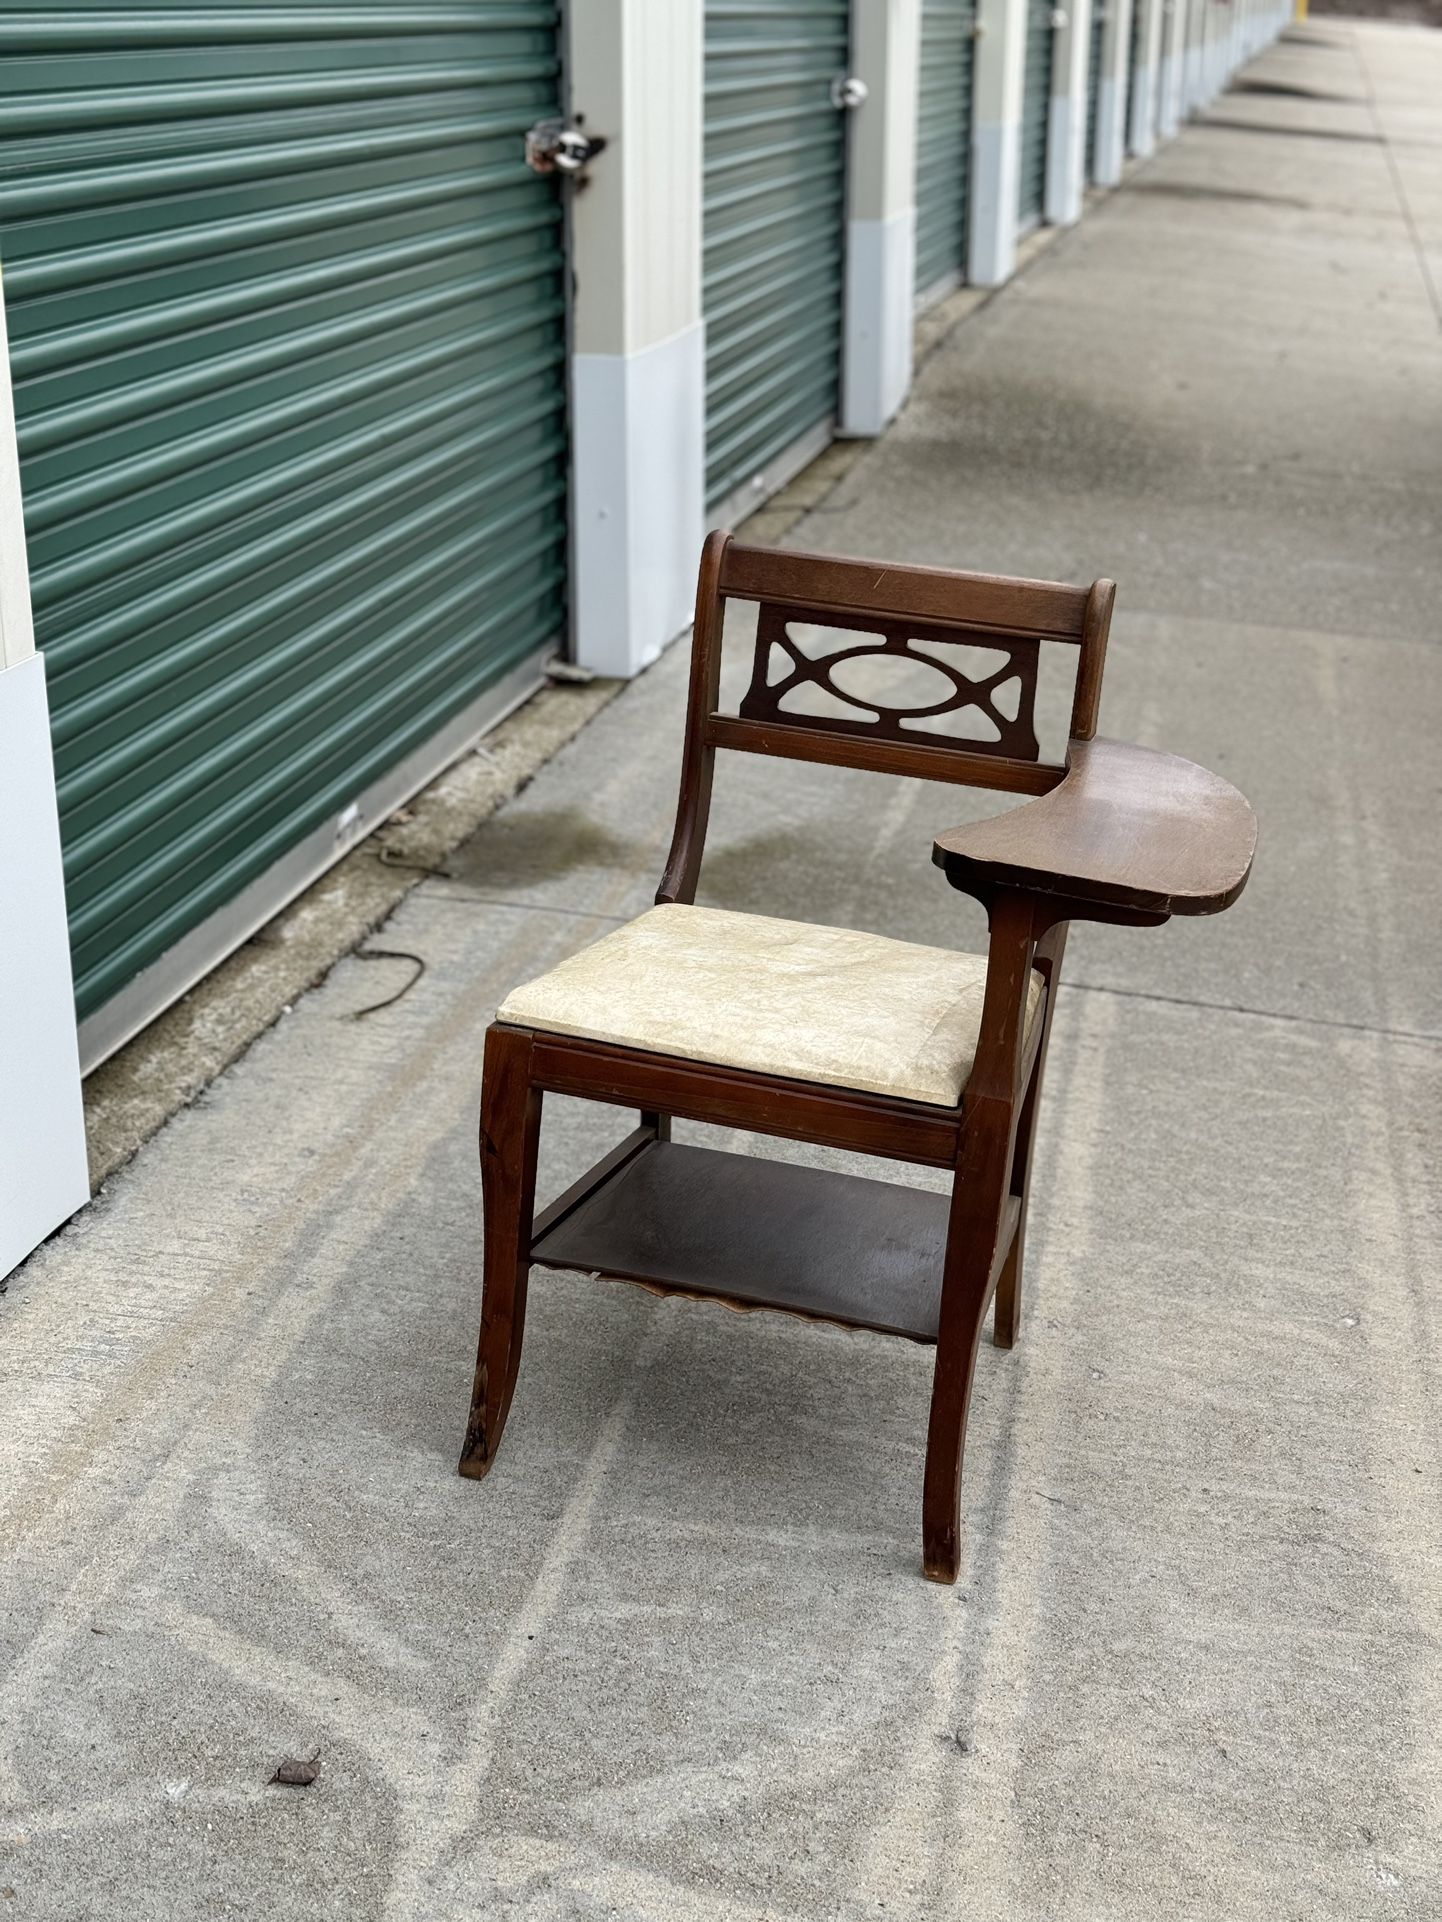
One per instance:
(774, 997)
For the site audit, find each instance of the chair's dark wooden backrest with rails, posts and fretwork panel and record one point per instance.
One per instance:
(899, 616)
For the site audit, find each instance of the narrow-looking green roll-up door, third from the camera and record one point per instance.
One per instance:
(945, 141)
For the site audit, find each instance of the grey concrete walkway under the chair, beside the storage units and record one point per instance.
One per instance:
(676, 1662)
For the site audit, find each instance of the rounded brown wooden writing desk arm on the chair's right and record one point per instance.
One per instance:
(1126, 833)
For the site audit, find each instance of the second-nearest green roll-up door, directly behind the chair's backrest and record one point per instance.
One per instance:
(774, 230)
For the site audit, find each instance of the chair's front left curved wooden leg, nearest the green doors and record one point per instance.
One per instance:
(510, 1133)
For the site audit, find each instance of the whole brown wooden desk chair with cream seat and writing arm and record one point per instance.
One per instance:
(833, 1037)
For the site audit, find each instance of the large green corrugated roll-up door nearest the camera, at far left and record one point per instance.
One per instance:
(289, 353)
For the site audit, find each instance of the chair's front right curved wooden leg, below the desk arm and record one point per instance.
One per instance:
(972, 1243)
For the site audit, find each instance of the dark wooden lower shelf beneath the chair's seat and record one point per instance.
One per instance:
(699, 1221)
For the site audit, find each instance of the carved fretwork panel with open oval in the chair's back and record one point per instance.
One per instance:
(987, 708)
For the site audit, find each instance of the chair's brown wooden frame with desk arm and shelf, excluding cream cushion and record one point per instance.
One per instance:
(1118, 835)
